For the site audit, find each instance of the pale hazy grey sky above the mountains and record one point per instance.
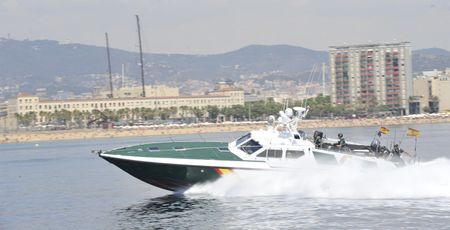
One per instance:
(214, 26)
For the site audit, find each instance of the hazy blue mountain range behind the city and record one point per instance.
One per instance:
(31, 64)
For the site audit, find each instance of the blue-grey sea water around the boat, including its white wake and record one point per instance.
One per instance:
(62, 185)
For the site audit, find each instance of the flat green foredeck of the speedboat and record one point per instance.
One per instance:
(186, 150)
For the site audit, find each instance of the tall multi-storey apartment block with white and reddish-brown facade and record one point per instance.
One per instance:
(371, 74)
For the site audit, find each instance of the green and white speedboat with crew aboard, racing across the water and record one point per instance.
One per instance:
(177, 166)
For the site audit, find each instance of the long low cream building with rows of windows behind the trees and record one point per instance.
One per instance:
(25, 103)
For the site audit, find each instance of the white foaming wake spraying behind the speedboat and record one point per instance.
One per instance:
(425, 180)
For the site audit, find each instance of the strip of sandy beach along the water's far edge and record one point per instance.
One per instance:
(80, 134)
